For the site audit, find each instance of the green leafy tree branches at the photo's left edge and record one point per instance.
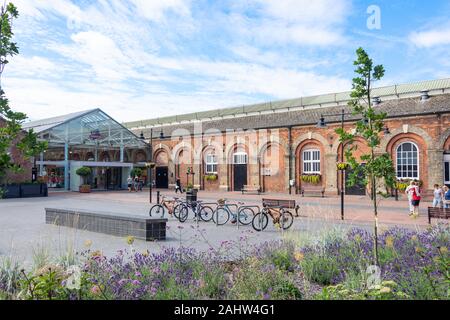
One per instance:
(11, 133)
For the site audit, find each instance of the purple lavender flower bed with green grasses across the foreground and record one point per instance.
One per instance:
(414, 265)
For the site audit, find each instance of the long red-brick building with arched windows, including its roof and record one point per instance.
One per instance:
(274, 145)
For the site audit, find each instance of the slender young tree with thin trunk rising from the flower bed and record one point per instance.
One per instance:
(378, 167)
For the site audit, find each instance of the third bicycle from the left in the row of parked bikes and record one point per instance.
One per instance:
(223, 213)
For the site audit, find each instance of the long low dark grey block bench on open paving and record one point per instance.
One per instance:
(116, 224)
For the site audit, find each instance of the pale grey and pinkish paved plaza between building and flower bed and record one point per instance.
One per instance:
(24, 232)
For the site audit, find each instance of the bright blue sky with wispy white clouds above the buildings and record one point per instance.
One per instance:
(142, 59)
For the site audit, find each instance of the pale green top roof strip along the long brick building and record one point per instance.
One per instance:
(292, 103)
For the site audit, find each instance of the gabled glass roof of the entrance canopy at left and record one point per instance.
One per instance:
(89, 129)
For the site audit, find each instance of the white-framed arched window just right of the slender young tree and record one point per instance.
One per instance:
(408, 161)
